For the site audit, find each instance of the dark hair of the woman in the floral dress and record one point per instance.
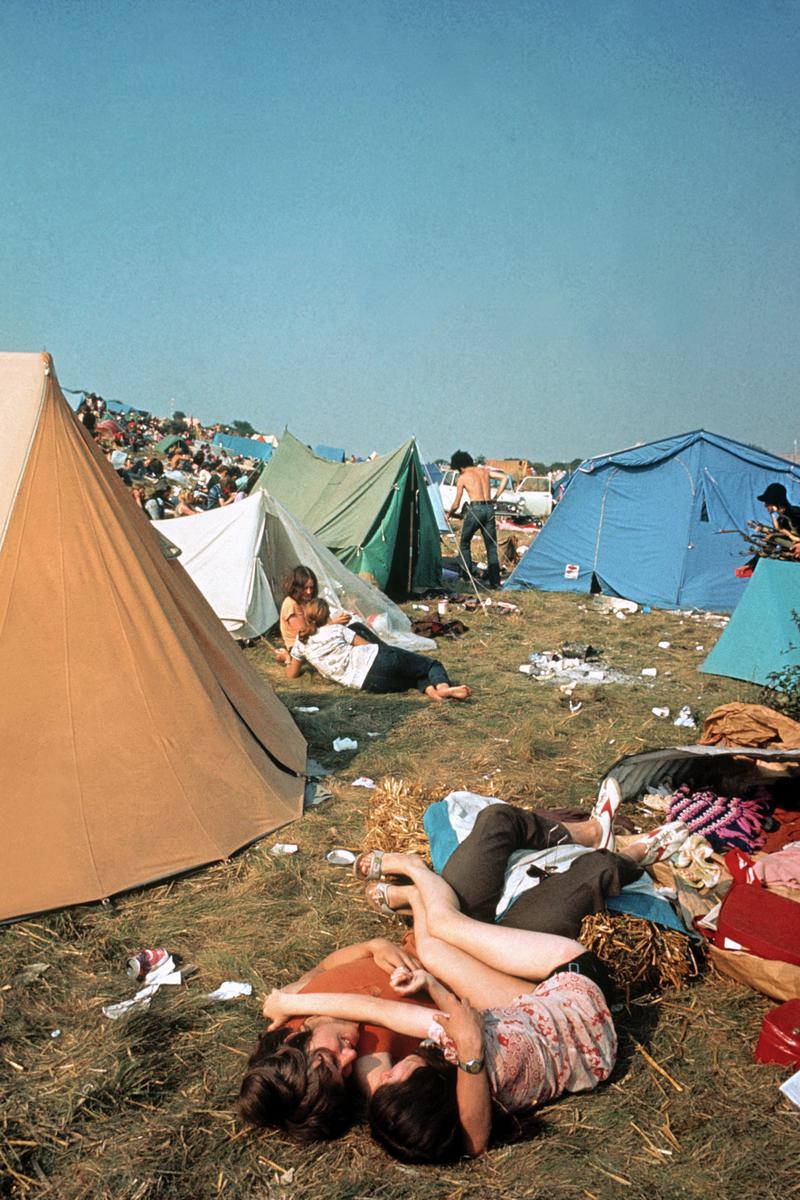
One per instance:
(418, 1120)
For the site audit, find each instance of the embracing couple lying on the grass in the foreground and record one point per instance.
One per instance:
(449, 1036)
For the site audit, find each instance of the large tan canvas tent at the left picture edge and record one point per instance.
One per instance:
(137, 741)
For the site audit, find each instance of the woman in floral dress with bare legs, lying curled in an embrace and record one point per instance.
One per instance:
(532, 1023)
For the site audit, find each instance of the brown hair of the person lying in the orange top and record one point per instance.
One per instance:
(281, 1089)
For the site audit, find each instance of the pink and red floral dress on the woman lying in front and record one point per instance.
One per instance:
(557, 1039)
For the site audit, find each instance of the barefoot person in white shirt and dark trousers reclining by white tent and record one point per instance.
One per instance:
(341, 655)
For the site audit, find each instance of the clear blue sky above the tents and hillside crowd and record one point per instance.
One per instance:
(545, 230)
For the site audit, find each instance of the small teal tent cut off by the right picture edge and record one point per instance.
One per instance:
(762, 637)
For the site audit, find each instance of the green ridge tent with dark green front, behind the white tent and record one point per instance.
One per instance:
(375, 517)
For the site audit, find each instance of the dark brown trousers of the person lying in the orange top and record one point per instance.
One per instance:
(558, 903)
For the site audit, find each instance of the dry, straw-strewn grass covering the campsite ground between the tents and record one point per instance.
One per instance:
(141, 1109)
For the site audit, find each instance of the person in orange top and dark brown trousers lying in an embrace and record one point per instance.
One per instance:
(291, 1084)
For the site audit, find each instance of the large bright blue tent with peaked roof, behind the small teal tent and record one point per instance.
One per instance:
(647, 524)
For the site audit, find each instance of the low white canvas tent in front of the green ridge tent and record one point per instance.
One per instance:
(240, 555)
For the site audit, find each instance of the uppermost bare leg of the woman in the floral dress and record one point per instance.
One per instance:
(515, 952)
